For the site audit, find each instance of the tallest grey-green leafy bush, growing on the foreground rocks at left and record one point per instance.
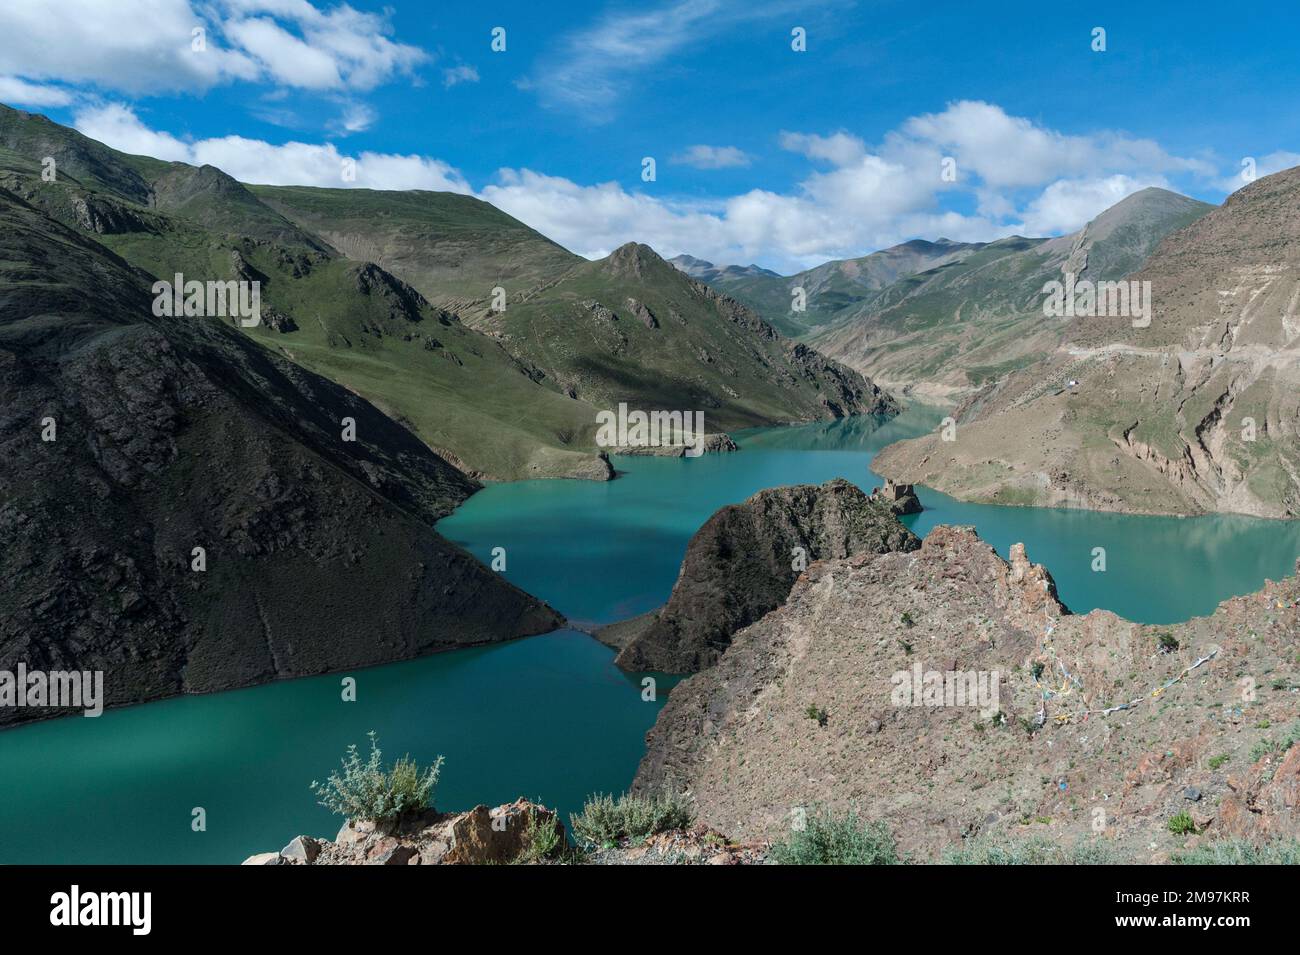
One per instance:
(366, 791)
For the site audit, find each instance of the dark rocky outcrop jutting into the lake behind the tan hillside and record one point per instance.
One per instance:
(742, 565)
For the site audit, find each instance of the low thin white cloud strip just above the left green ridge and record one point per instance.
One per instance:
(254, 160)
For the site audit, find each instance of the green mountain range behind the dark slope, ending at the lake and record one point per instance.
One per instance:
(369, 289)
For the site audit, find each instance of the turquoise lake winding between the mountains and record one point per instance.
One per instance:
(548, 718)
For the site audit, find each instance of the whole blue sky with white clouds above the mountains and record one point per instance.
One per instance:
(762, 153)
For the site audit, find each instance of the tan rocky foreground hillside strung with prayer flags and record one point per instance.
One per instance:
(1100, 728)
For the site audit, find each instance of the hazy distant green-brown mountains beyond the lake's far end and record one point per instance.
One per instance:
(941, 319)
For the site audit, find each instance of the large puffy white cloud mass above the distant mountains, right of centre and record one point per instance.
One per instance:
(1013, 175)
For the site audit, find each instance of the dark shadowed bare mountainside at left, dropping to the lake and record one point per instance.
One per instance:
(129, 441)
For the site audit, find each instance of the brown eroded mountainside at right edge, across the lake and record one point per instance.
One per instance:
(1195, 411)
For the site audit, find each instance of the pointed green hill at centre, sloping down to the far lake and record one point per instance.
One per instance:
(632, 328)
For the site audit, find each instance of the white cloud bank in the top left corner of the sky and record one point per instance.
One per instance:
(148, 46)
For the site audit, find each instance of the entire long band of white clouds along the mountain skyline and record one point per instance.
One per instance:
(870, 197)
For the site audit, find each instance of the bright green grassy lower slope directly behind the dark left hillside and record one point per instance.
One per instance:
(467, 400)
